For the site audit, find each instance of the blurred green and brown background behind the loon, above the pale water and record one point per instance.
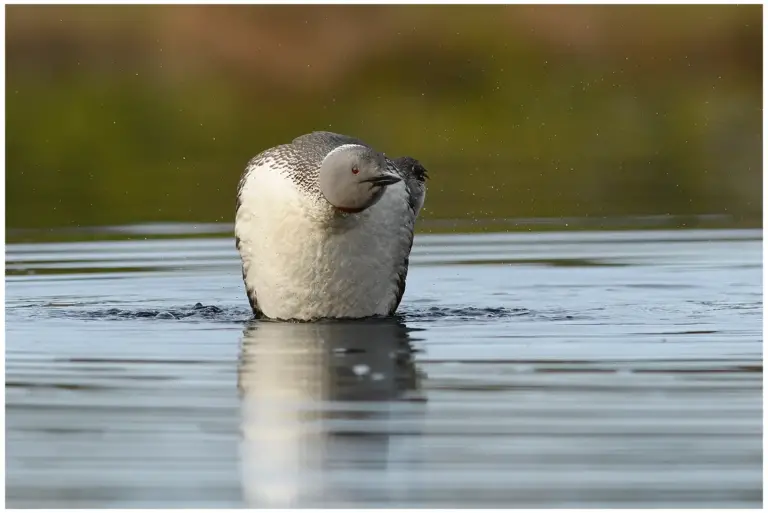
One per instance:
(133, 114)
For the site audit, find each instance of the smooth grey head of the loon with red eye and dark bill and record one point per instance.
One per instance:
(353, 177)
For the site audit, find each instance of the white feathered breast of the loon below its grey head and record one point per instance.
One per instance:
(305, 261)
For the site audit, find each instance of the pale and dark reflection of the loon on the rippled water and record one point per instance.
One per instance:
(316, 399)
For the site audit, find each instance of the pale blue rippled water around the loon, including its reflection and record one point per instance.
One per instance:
(541, 370)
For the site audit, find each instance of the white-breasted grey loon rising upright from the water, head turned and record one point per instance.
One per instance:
(324, 227)
